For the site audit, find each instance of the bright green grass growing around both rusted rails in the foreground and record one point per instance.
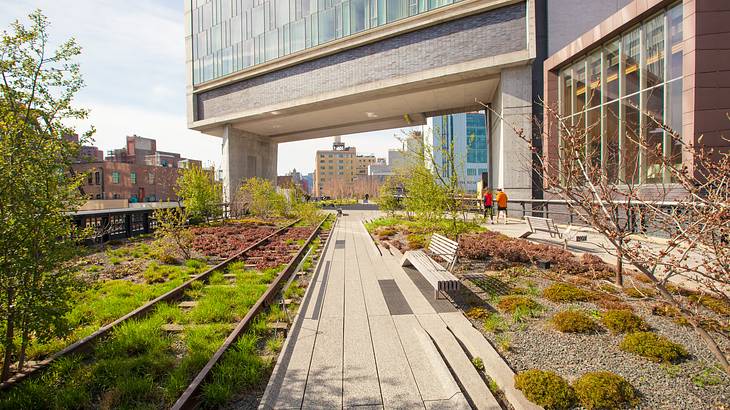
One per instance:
(141, 366)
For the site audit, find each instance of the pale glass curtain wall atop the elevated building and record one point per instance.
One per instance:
(231, 35)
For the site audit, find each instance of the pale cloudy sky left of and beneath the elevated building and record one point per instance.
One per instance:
(133, 66)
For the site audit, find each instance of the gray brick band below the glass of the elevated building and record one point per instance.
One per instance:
(483, 35)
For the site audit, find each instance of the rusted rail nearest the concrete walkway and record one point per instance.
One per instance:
(189, 398)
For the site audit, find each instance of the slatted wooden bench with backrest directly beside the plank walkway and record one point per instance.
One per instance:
(436, 274)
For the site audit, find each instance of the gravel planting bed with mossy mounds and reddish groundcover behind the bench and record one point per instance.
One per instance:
(517, 306)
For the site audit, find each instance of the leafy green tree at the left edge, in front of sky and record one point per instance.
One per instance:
(38, 189)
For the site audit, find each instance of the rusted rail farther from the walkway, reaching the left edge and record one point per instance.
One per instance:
(86, 342)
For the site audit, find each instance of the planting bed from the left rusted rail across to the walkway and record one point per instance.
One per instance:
(147, 363)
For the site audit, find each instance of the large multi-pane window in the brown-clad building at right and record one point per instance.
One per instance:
(620, 96)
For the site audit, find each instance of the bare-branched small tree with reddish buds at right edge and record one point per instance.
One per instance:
(615, 204)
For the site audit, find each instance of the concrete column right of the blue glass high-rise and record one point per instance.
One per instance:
(511, 159)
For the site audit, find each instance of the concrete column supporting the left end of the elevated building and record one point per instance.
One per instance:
(245, 156)
